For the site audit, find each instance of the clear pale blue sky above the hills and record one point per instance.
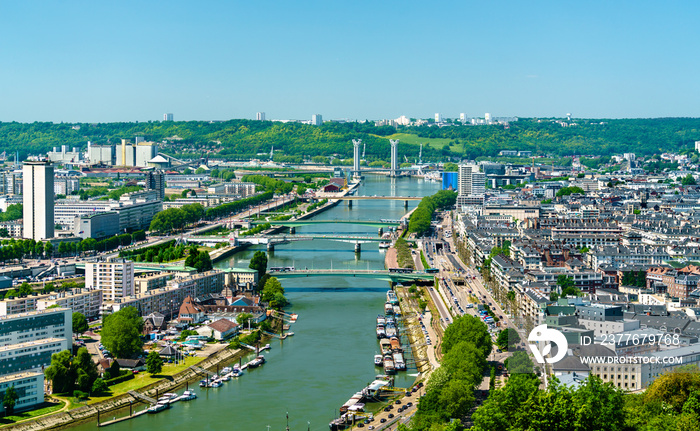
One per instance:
(96, 61)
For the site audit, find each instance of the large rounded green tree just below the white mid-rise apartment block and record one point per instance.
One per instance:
(121, 333)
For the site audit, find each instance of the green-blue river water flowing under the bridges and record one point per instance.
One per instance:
(311, 374)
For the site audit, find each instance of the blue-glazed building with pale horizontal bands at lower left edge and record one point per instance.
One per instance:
(28, 341)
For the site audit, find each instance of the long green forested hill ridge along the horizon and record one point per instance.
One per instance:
(245, 138)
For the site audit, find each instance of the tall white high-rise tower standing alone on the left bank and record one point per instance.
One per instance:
(38, 200)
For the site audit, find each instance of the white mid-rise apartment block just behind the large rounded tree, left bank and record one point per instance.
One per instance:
(115, 277)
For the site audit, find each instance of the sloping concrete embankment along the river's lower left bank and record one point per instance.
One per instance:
(118, 403)
